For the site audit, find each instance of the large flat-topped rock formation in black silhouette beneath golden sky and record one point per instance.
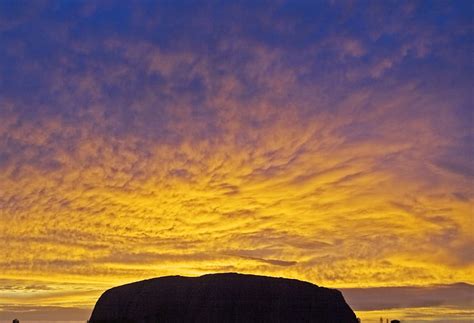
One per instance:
(222, 298)
